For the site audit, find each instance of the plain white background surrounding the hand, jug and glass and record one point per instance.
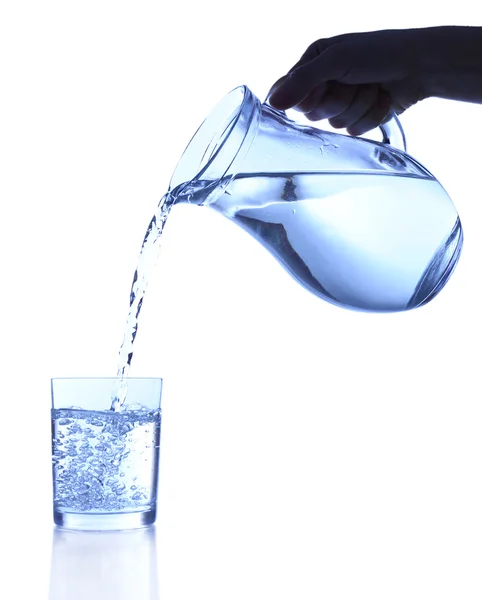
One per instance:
(306, 451)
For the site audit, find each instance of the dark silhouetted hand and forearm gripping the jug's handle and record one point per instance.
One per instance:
(354, 80)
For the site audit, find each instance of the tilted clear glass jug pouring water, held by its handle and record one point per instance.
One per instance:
(359, 223)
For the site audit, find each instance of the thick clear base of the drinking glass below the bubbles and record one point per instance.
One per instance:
(104, 521)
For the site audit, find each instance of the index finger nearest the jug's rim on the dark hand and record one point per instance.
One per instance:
(298, 84)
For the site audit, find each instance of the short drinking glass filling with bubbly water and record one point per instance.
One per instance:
(105, 463)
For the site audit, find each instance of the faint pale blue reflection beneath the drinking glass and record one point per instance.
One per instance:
(104, 565)
